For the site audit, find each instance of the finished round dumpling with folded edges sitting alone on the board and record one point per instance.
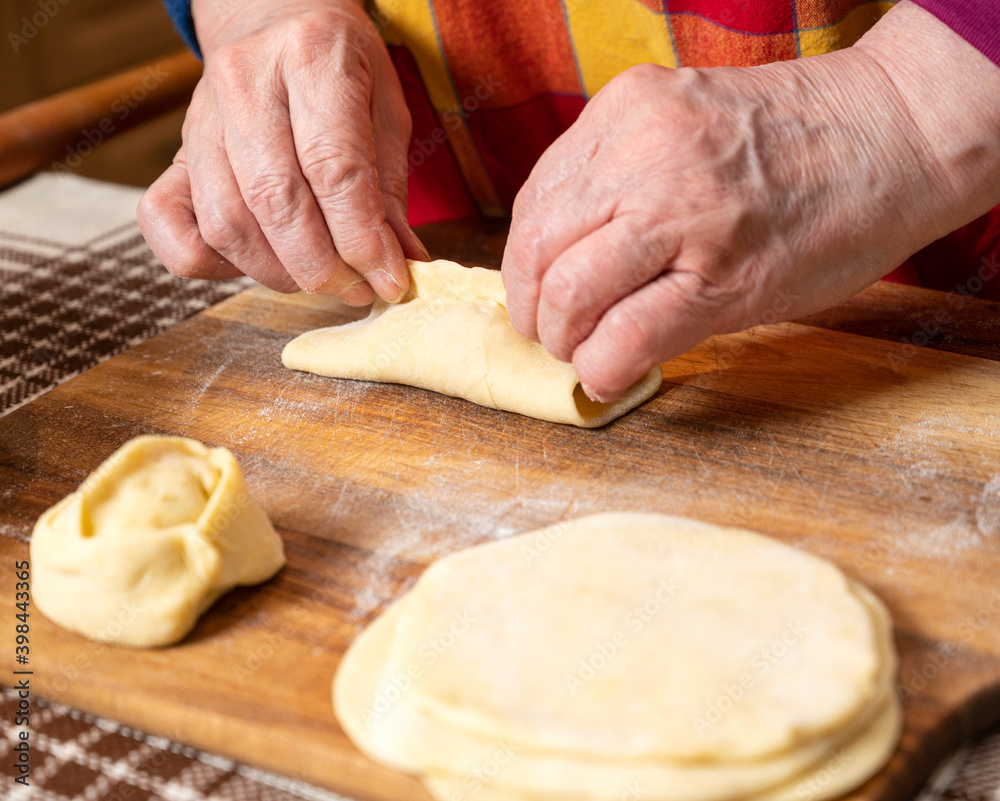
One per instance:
(149, 541)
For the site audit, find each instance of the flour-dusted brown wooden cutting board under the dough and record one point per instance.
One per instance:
(831, 434)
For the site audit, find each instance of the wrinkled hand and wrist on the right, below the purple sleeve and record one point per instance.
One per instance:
(688, 203)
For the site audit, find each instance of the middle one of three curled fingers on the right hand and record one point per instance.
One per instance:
(595, 273)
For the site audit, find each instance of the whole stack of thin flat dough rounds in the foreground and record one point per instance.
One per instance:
(627, 656)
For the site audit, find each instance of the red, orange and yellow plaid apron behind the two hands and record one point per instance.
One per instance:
(492, 84)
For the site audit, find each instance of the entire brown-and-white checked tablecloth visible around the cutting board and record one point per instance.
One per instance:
(77, 286)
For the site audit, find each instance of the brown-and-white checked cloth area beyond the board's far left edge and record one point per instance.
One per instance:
(78, 283)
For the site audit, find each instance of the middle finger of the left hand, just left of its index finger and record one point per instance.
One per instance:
(261, 150)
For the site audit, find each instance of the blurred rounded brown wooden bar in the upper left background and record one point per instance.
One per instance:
(67, 126)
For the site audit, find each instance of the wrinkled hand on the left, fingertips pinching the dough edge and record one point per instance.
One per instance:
(293, 164)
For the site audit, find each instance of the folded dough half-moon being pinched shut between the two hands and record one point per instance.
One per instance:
(451, 334)
